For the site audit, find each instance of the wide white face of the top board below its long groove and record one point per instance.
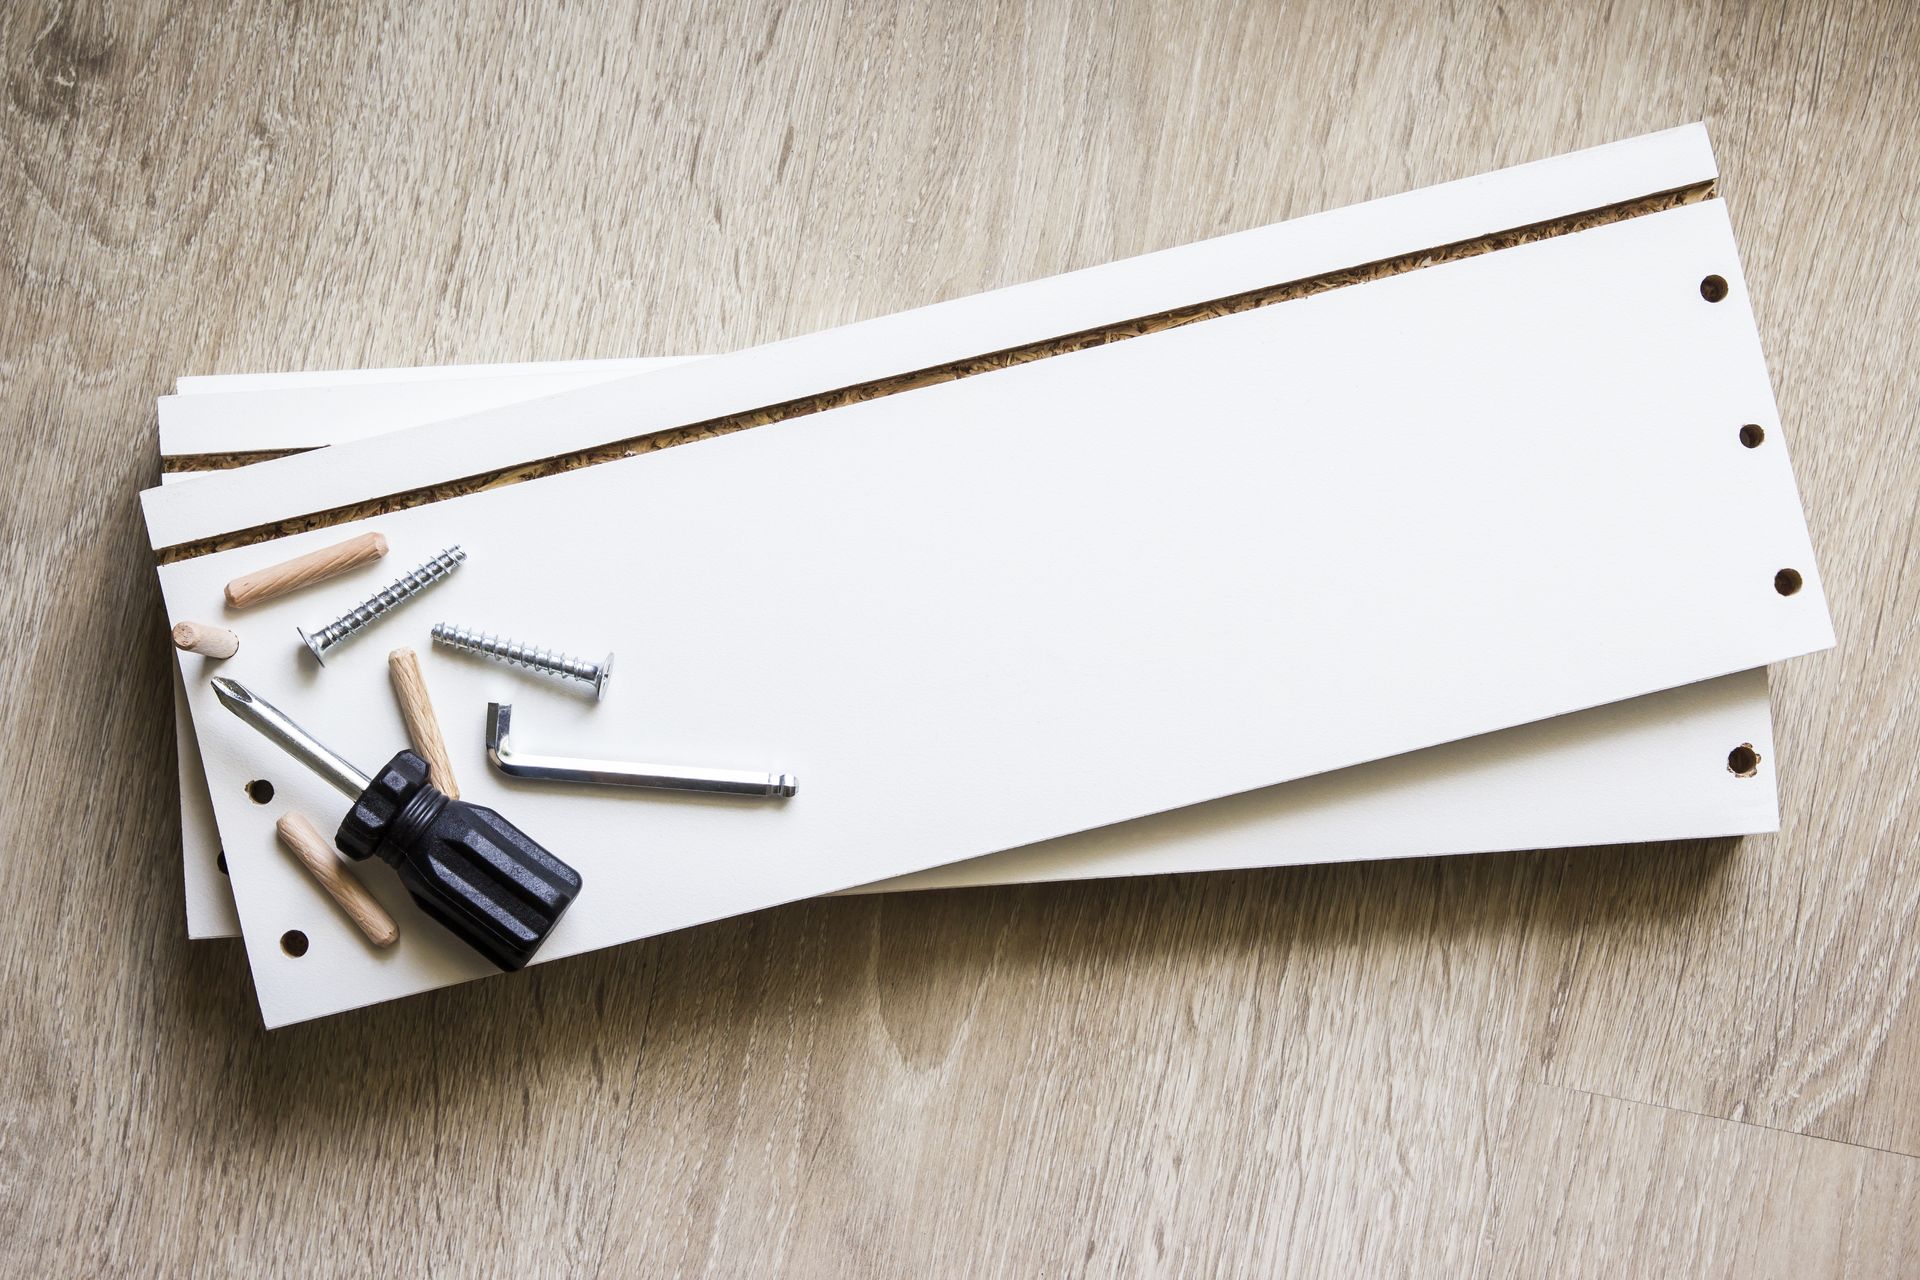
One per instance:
(1236, 556)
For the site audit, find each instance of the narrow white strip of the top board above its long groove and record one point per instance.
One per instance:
(944, 333)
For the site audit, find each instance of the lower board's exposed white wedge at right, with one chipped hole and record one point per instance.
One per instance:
(1652, 769)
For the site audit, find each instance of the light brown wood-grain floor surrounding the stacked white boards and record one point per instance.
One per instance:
(1664, 1060)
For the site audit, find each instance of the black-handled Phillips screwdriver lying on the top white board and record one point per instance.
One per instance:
(468, 866)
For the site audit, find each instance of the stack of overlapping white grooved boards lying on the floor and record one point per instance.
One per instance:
(1451, 523)
